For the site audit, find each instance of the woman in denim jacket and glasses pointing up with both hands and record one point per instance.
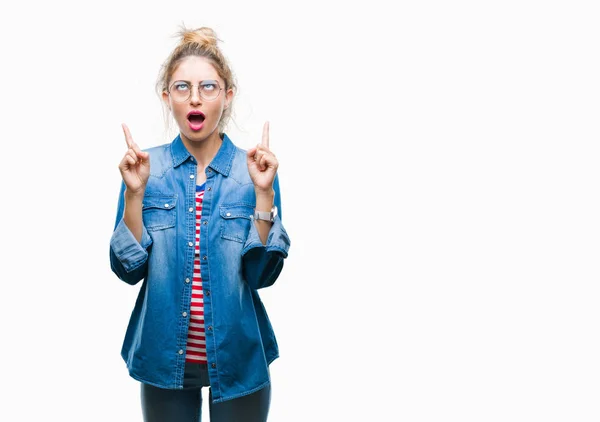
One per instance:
(199, 221)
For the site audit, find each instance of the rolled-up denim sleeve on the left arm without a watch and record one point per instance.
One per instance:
(128, 257)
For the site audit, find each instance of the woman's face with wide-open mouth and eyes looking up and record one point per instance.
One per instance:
(197, 118)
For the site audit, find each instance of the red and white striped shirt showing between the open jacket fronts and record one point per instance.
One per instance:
(196, 342)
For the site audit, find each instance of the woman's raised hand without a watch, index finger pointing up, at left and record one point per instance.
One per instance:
(135, 165)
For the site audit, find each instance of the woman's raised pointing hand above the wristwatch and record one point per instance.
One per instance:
(262, 163)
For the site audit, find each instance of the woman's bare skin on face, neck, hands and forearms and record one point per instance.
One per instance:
(203, 145)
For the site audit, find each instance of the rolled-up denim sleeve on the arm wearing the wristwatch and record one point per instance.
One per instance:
(261, 264)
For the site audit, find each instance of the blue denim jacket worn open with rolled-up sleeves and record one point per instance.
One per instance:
(240, 342)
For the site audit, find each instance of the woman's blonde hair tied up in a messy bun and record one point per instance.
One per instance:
(201, 42)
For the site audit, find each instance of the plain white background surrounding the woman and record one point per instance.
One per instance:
(439, 175)
